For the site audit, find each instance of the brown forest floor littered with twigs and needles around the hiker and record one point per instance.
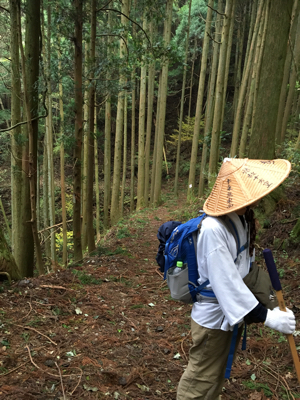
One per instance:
(108, 328)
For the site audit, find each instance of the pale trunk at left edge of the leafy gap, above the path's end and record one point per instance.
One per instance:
(163, 101)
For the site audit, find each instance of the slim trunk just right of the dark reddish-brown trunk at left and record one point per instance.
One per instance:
(91, 156)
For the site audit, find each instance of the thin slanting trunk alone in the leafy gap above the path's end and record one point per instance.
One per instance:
(182, 100)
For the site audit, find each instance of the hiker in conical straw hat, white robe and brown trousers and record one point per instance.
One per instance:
(229, 301)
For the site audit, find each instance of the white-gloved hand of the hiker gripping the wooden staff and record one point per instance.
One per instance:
(281, 321)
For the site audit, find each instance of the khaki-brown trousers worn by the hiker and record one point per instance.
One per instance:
(204, 377)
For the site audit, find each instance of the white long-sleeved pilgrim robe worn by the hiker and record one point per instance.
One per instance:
(216, 252)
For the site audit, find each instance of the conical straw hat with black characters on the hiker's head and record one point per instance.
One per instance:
(241, 182)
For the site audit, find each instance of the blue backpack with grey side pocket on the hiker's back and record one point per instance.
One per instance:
(180, 245)
